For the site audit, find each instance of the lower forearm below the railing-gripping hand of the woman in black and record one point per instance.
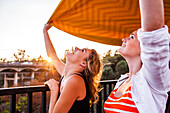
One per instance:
(53, 101)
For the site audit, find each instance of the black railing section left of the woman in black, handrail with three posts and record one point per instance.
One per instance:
(28, 90)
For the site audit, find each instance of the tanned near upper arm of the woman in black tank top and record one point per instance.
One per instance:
(71, 91)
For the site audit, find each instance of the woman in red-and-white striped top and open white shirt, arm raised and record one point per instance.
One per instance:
(144, 89)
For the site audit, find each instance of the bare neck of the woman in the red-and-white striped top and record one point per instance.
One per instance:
(134, 64)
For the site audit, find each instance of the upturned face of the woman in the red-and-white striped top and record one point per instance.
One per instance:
(130, 46)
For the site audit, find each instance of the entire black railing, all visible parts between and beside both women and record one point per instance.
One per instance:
(43, 88)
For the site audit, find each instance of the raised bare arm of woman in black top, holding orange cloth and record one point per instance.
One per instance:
(58, 64)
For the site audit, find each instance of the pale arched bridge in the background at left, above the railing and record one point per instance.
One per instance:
(22, 73)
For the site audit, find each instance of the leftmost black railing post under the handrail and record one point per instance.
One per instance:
(13, 103)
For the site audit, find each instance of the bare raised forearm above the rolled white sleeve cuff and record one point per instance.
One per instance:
(152, 14)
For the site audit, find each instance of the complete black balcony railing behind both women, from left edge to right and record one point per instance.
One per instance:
(107, 87)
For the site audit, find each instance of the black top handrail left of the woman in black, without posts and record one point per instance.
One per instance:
(25, 89)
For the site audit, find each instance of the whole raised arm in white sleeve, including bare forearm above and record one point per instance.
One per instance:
(154, 45)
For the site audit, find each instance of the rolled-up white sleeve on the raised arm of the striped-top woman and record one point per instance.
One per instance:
(155, 57)
